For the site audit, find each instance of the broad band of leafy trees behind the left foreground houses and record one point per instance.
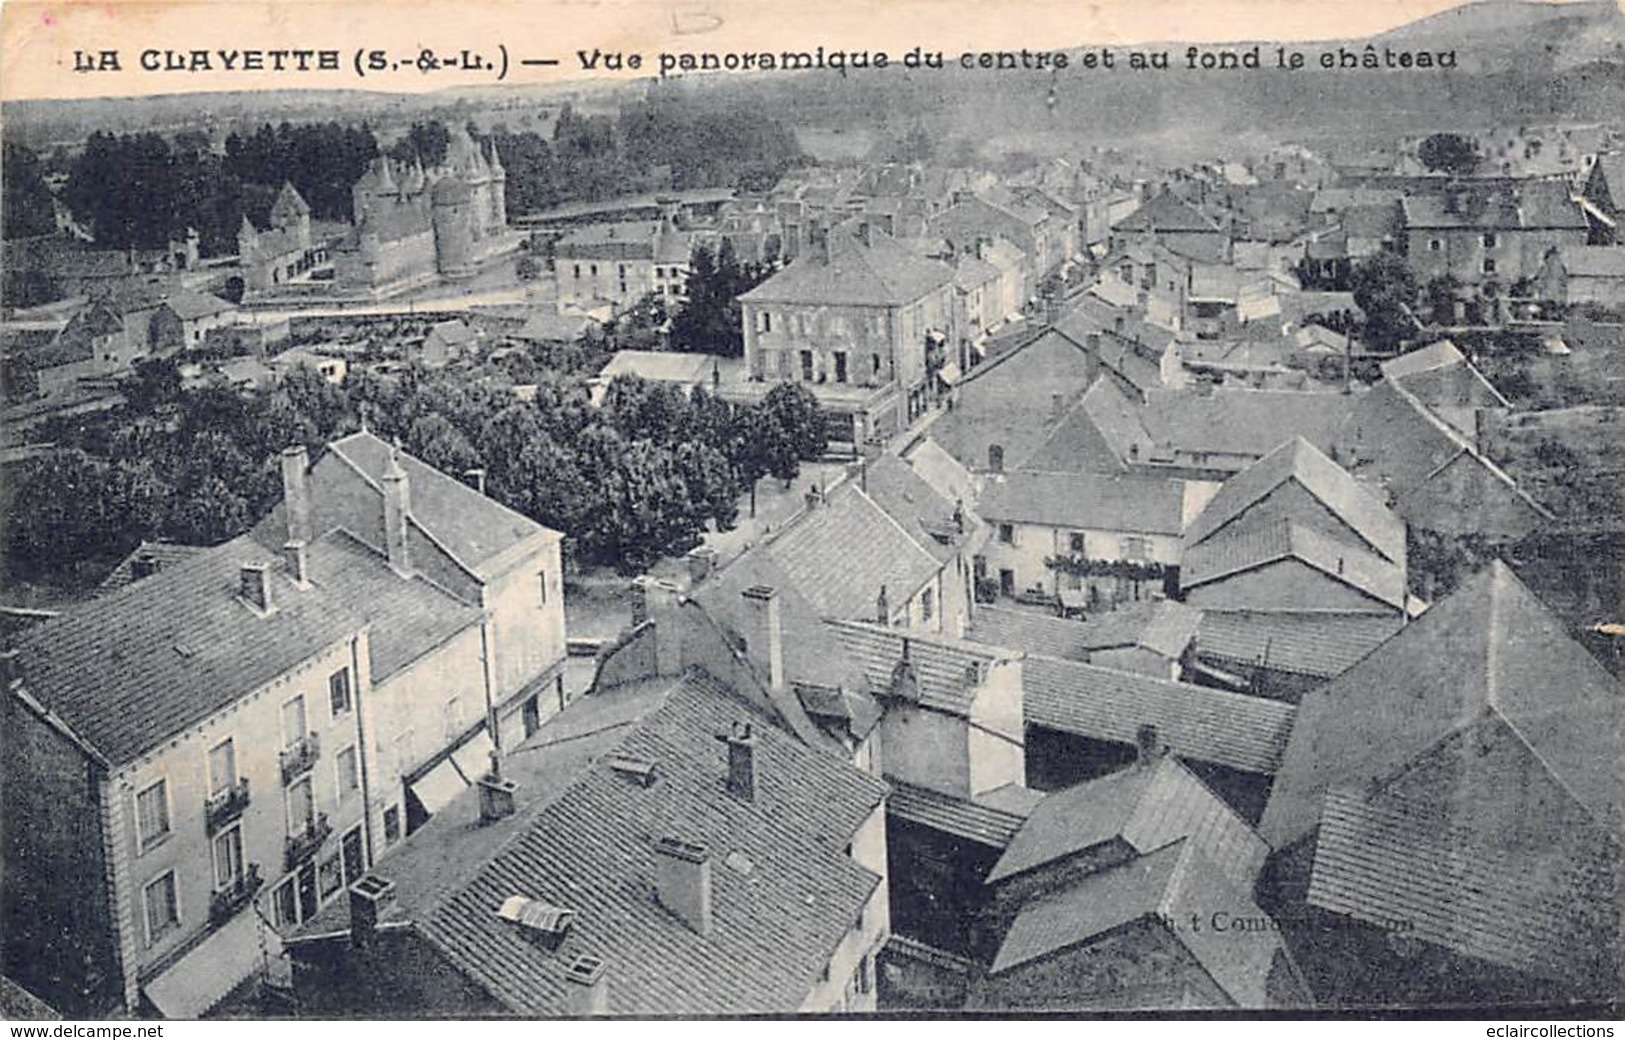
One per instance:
(630, 482)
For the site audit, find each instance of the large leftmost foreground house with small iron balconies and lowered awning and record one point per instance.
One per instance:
(181, 748)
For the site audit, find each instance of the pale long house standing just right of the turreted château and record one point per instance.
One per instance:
(622, 264)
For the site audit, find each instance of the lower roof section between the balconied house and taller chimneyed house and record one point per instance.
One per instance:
(409, 617)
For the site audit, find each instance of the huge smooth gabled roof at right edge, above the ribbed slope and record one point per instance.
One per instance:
(1489, 649)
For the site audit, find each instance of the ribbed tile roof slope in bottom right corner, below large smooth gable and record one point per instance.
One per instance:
(1395, 864)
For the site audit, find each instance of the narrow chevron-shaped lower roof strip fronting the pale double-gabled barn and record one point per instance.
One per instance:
(1237, 552)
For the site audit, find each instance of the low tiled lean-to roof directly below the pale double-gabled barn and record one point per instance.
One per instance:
(1320, 644)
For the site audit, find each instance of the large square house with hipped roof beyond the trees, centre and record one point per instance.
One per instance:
(860, 323)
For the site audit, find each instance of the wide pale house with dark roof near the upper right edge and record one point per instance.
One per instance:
(1489, 233)
